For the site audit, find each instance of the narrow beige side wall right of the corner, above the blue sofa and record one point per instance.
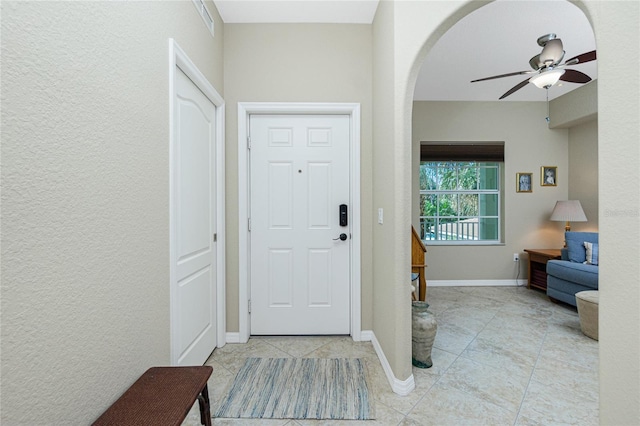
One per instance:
(583, 172)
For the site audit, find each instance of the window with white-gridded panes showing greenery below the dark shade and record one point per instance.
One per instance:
(460, 201)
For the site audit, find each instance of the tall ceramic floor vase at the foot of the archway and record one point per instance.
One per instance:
(423, 333)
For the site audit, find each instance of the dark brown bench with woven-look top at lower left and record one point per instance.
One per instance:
(162, 396)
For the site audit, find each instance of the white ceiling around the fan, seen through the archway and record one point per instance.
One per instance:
(500, 38)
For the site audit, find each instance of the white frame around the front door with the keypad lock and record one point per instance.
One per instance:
(244, 110)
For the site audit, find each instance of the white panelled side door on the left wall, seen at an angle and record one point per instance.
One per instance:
(193, 209)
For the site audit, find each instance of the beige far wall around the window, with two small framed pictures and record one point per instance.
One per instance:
(529, 144)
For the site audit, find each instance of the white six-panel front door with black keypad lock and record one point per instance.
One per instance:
(299, 176)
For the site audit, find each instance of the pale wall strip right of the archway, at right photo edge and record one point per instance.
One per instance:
(615, 24)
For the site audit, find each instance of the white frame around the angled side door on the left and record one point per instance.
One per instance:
(178, 58)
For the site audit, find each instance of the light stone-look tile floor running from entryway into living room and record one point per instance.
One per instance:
(502, 356)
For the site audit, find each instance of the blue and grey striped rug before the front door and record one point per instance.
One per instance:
(299, 388)
